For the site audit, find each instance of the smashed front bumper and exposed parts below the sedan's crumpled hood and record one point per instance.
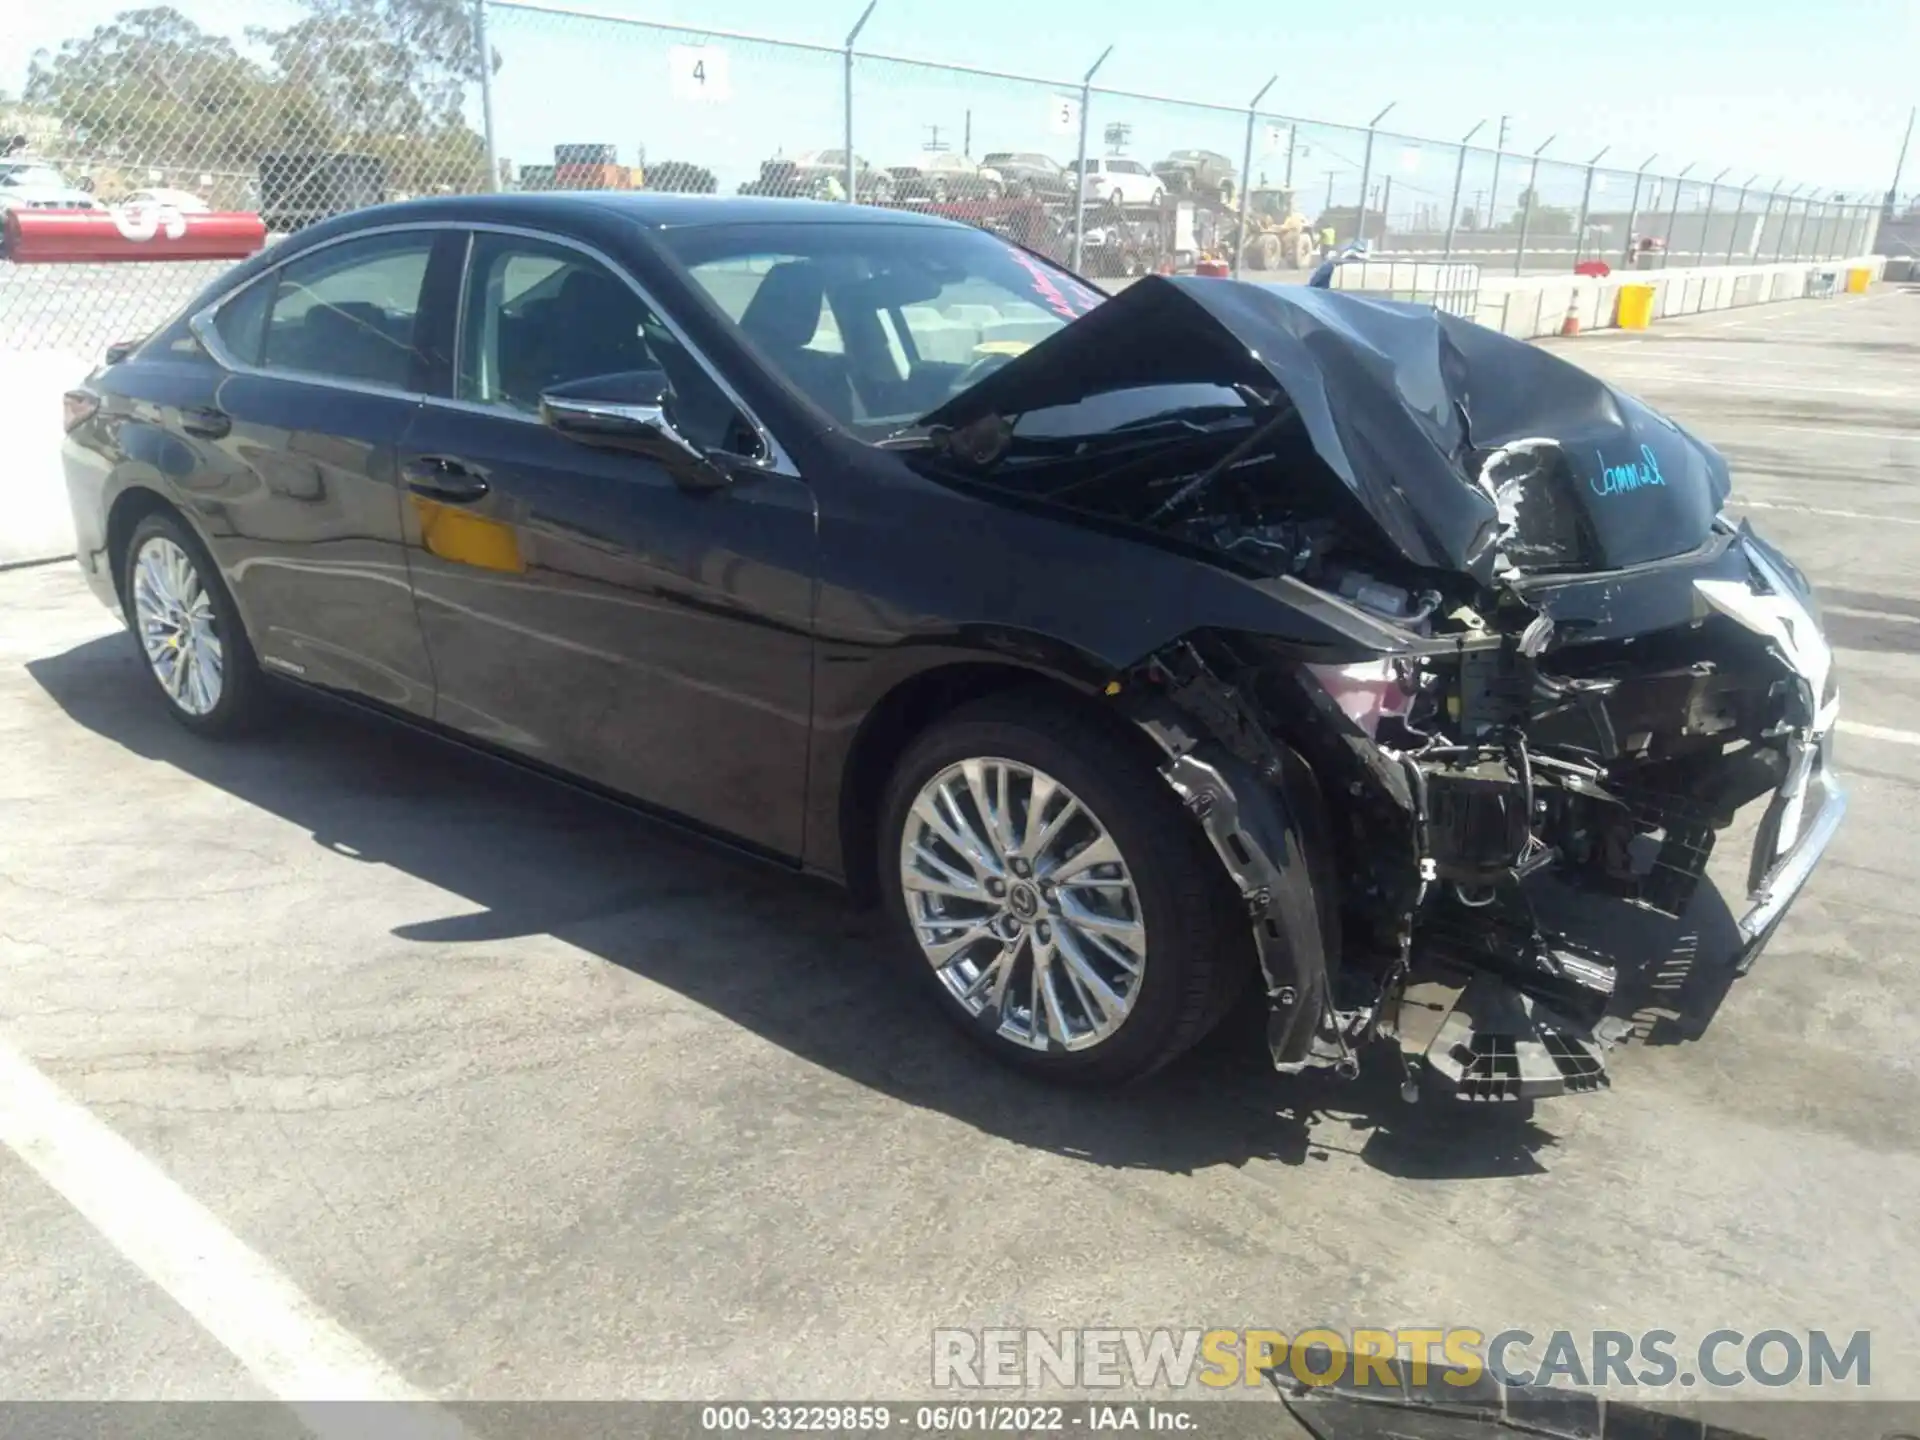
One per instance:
(1489, 999)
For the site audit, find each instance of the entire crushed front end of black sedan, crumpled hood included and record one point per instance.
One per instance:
(1568, 671)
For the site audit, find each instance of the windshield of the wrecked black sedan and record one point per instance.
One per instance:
(880, 324)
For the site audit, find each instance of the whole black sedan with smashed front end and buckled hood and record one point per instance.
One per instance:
(1305, 644)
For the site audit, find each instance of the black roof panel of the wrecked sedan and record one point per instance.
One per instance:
(646, 208)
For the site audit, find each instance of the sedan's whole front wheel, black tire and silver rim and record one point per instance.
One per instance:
(1055, 898)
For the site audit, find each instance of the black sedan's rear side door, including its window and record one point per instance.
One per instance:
(325, 373)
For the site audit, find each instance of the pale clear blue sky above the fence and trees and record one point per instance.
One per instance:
(1813, 93)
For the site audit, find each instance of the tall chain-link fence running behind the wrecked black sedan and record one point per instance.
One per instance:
(368, 101)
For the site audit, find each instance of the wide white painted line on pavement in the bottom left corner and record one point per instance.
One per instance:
(262, 1318)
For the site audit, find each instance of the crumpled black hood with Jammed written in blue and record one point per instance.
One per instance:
(1403, 404)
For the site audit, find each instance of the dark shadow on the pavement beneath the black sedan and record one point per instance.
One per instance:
(773, 951)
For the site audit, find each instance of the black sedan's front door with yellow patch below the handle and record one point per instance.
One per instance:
(610, 613)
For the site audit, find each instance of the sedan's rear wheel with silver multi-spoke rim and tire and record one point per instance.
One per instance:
(189, 631)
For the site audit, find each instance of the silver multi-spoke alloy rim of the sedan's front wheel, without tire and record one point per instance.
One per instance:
(1022, 905)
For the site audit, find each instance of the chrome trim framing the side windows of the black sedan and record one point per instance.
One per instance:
(775, 460)
